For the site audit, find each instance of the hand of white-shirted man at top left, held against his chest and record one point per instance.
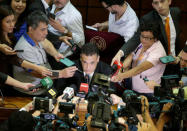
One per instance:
(57, 25)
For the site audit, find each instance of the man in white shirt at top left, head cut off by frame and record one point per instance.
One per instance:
(68, 21)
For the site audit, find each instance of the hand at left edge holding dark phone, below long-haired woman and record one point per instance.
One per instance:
(6, 49)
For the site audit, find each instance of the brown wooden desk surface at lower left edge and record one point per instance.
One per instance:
(12, 104)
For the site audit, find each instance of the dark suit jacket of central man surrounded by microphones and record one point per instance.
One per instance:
(78, 77)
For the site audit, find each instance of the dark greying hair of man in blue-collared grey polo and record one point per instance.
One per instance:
(35, 18)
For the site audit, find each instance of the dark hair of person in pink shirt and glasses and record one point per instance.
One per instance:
(151, 27)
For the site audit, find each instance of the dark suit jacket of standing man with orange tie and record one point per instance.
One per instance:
(154, 17)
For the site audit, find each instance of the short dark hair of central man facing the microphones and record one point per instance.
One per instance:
(89, 49)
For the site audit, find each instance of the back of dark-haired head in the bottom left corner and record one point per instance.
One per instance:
(21, 121)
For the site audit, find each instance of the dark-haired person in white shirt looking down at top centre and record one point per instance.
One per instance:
(122, 18)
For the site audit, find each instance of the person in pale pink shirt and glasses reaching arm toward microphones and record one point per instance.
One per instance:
(145, 61)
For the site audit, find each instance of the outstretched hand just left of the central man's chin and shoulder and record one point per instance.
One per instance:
(67, 72)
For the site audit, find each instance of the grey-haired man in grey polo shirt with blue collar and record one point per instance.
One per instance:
(35, 46)
